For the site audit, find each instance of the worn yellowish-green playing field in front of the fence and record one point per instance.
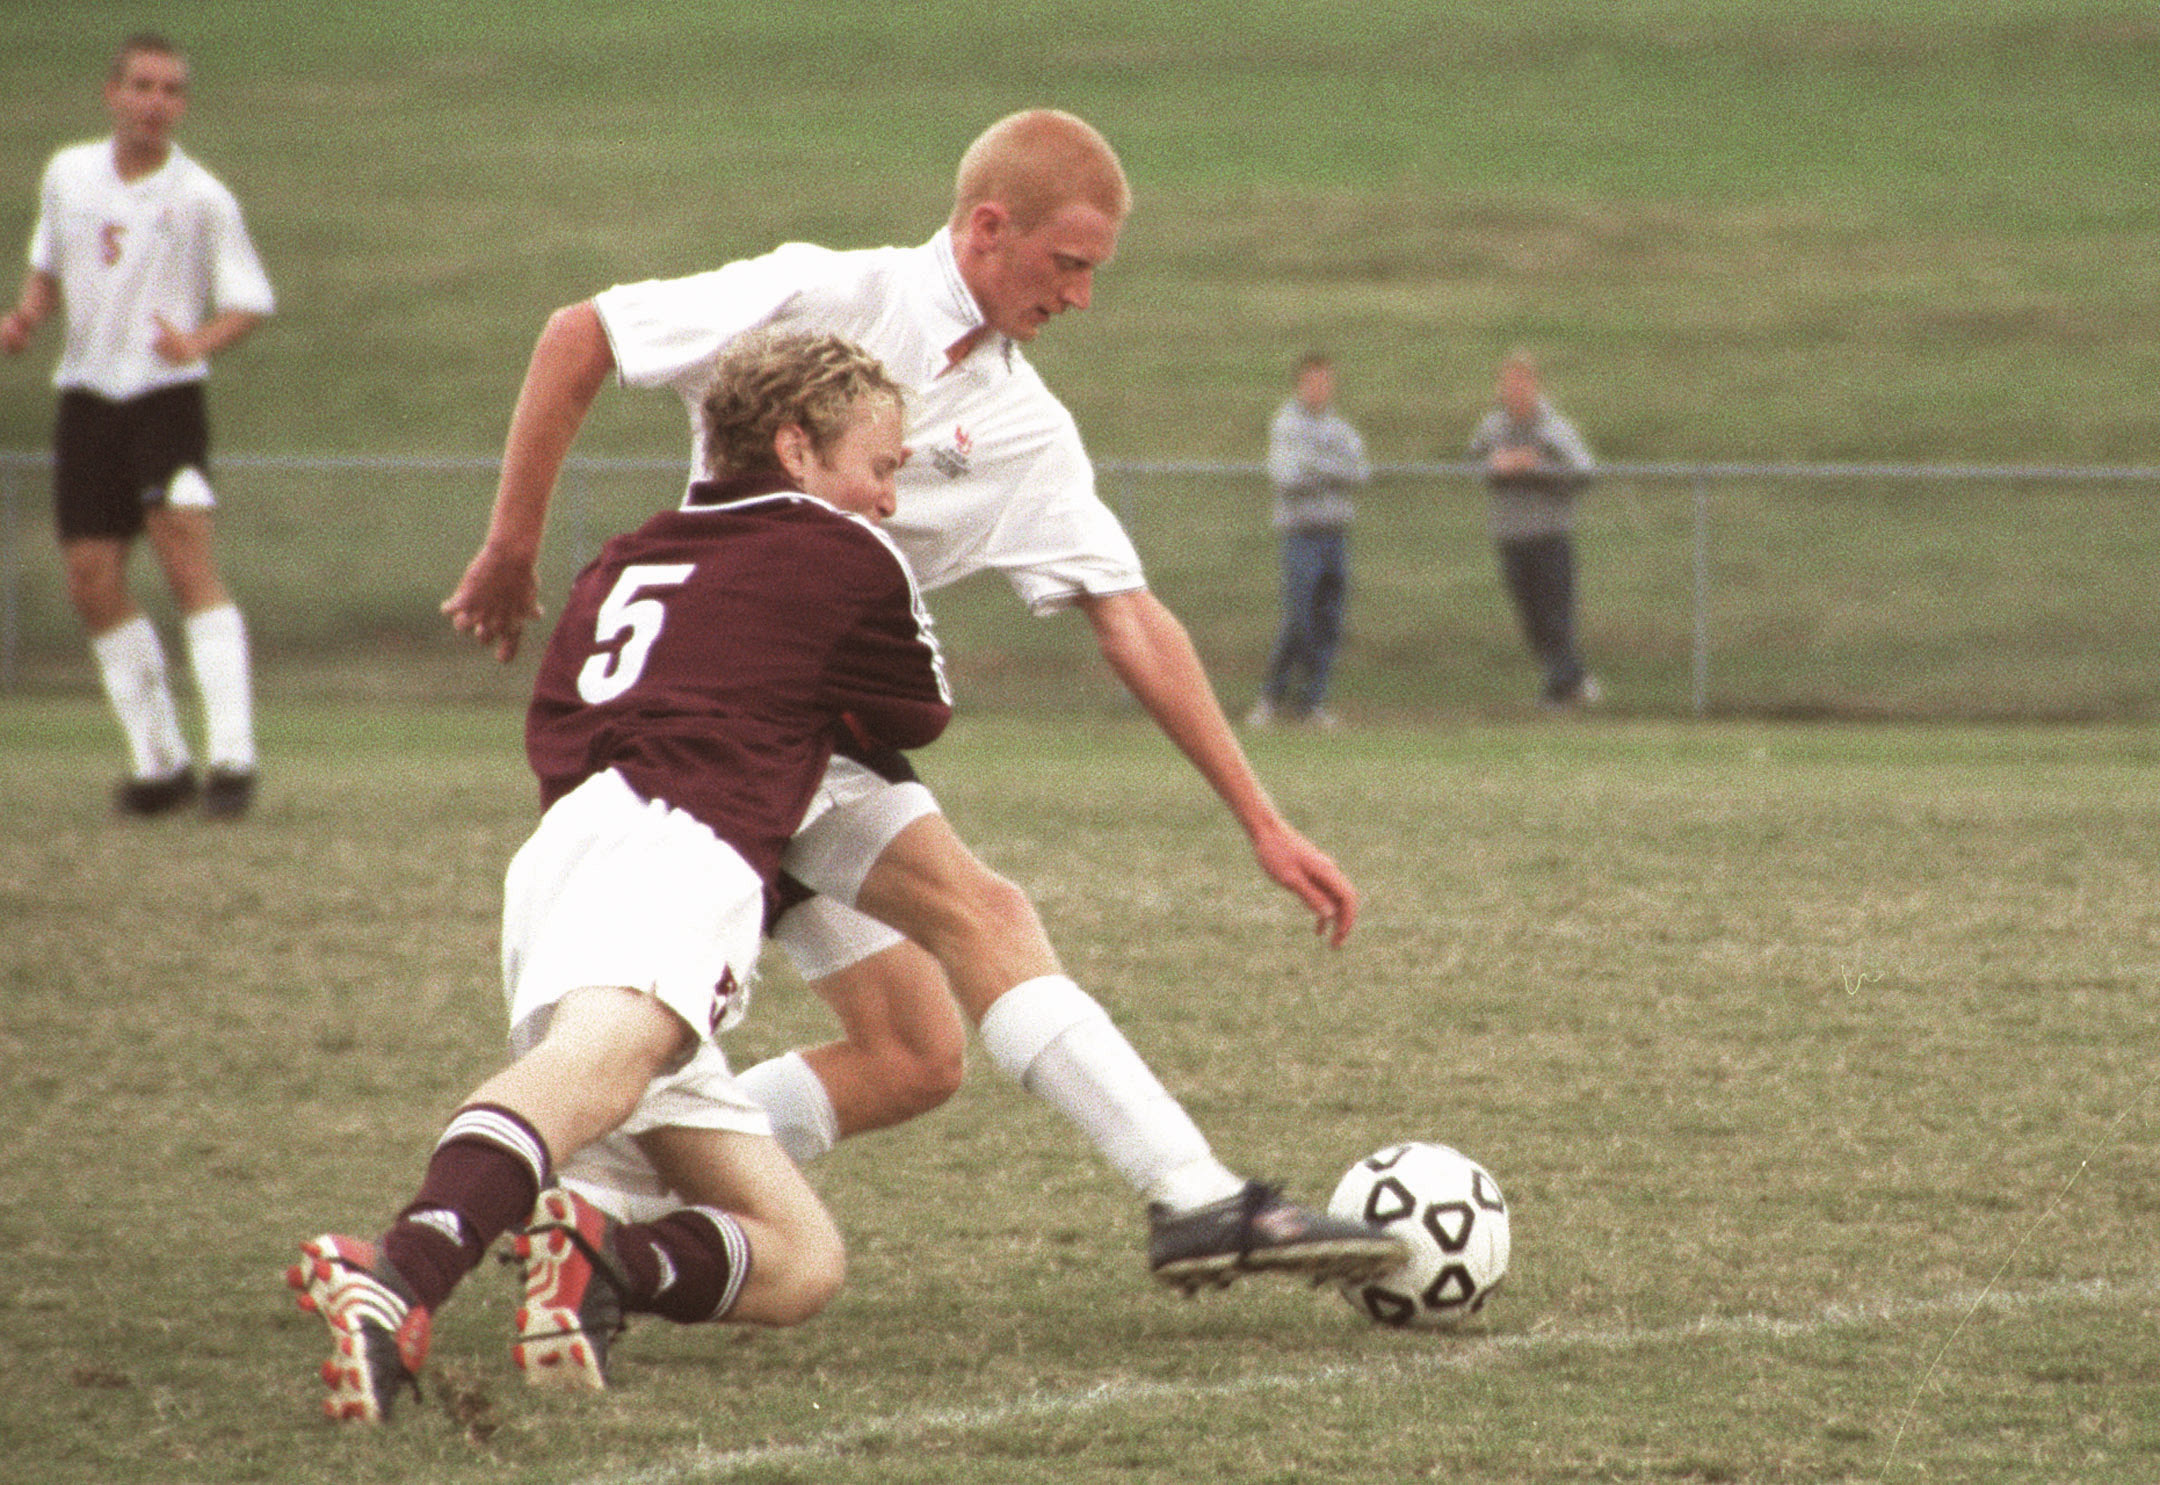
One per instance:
(1815, 1061)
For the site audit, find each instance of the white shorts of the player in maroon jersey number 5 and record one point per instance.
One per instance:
(621, 890)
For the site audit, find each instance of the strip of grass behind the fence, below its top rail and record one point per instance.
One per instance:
(1850, 599)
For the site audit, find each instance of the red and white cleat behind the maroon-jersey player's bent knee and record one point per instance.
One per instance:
(573, 1294)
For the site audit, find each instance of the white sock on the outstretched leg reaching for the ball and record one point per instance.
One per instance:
(1057, 1041)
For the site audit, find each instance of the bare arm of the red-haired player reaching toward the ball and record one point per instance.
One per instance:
(1155, 657)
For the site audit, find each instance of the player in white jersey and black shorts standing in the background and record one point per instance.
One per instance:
(152, 264)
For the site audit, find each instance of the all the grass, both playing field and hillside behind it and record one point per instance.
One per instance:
(1815, 1059)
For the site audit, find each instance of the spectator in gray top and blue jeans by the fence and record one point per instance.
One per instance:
(1314, 463)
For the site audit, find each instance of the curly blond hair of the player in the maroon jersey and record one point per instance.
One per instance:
(774, 379)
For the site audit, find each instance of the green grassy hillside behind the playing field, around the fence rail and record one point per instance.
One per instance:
(1738, 232)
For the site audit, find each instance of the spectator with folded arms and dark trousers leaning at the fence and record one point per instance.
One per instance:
(1537, 467)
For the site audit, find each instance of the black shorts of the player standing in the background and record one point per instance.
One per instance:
(116, 461)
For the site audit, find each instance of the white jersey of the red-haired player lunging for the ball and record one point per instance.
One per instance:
(997, 476)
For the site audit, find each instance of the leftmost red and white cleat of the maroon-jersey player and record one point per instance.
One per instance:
(379, 1337)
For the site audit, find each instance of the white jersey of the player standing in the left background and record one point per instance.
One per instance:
(126, 254)
